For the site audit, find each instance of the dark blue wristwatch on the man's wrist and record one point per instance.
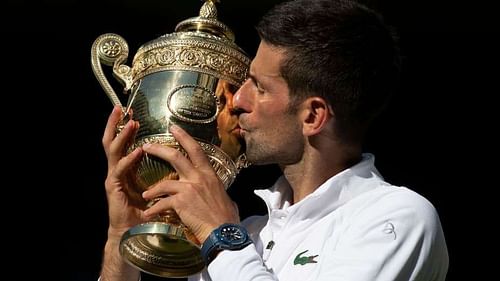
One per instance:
(226, 237)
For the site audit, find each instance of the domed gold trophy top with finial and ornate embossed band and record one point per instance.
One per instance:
(202, 44)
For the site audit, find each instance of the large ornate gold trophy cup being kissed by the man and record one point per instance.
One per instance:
(179, 78)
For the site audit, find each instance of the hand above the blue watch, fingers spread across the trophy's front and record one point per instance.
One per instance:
(198, 196)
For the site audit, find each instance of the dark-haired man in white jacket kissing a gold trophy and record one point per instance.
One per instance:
(323, 70)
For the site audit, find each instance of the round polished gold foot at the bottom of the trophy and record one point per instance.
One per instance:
(161, 249)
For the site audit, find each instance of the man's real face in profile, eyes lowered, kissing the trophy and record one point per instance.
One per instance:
(272, 133)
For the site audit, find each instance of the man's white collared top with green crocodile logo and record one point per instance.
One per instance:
(354, 227)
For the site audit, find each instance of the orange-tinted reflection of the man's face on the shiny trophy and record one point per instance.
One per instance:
(227, 121)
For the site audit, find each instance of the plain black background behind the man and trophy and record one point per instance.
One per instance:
(437, 136)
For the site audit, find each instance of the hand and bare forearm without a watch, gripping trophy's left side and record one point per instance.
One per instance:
(125, 209)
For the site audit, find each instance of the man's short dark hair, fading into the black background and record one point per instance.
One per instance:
(340, 50)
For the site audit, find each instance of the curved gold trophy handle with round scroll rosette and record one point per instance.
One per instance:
(112, 50)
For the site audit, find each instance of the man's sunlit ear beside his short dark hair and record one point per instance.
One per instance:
(316, 112)
